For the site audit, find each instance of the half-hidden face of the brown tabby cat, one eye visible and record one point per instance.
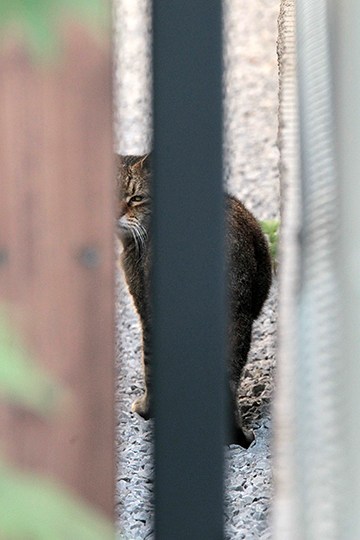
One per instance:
(133, 198)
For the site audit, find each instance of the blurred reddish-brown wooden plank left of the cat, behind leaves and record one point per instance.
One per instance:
(56, 254)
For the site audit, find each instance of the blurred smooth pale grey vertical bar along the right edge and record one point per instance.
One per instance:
(345, 41)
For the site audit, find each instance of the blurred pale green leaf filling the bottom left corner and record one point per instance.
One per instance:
(34, 507)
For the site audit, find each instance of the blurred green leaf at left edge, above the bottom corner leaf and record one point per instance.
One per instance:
(21, 380)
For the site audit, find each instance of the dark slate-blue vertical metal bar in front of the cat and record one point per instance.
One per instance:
(188, 284)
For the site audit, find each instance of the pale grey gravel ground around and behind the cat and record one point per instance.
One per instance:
(251, 159)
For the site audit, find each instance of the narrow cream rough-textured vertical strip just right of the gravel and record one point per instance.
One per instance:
(285, 503)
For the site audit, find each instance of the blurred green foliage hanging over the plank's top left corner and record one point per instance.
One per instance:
(40, 20)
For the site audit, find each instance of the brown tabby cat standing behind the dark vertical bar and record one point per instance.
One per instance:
(248, 267)
